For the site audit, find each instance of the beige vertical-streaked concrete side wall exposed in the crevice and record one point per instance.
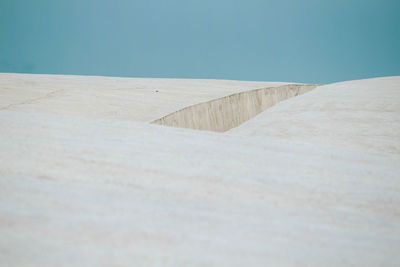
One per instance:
(228, 112)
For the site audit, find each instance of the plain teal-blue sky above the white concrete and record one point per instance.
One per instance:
(316, 41)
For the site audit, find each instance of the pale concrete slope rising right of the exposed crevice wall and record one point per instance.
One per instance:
(363, 113)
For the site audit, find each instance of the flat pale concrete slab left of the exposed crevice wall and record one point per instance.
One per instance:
(135, 99)
